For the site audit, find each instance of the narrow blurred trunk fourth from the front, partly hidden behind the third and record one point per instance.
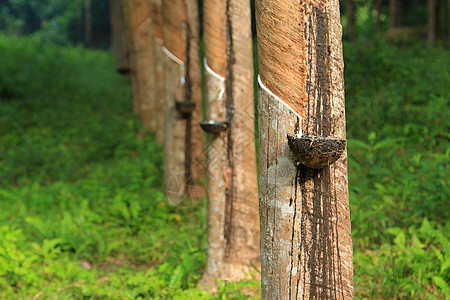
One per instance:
(158, 44)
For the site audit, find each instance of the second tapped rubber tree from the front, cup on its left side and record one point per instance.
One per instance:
(233, 221)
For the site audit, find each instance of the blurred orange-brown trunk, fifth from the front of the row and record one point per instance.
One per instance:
(140, 38)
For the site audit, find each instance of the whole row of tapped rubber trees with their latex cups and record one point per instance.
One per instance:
(297, 231)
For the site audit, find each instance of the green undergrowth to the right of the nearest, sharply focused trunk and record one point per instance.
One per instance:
(399, 148)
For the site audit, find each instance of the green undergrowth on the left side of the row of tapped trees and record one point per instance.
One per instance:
(81, 203)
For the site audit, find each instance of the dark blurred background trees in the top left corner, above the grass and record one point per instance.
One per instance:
(58, 21)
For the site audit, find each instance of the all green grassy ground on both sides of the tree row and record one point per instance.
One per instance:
(82, 212)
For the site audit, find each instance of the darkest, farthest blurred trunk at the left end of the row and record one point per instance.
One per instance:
(119, 38)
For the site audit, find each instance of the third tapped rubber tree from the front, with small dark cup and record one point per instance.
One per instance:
(184, 160)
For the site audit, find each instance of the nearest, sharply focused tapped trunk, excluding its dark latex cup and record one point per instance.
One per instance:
(306, 247)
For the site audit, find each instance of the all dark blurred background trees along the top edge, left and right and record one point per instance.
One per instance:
(87, 21)
